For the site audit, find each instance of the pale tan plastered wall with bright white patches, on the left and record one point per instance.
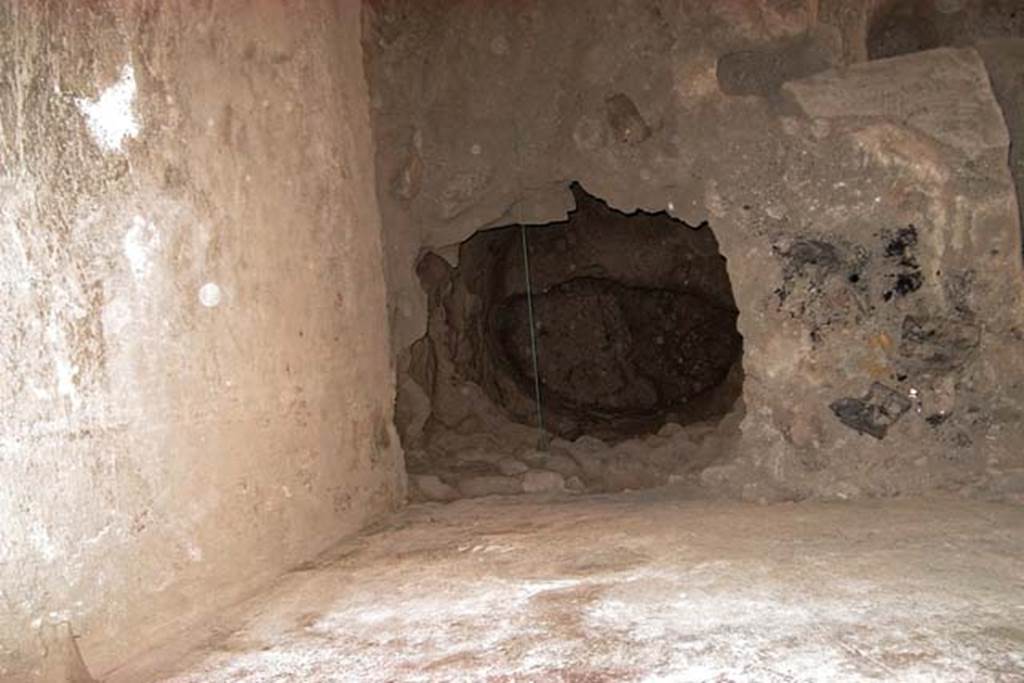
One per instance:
(197, 388)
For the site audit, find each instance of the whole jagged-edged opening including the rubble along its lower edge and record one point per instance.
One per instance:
(634, 325)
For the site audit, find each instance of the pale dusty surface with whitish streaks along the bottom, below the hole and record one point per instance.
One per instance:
(644, 586)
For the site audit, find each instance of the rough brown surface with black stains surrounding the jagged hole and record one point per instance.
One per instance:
(867, 212)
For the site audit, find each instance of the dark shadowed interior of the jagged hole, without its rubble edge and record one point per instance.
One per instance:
(634, 317)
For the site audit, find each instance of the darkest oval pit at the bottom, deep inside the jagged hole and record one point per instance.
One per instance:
(616, 355)
